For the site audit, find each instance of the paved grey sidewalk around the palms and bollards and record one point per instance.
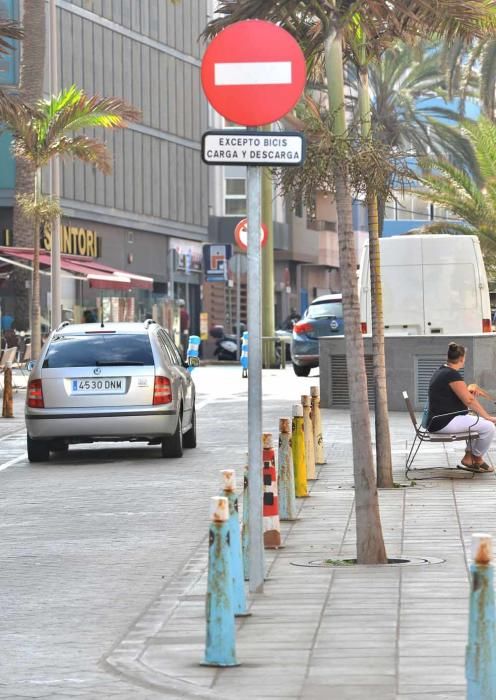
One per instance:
(338, 633)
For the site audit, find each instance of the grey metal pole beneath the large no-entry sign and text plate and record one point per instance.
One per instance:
(257, 559)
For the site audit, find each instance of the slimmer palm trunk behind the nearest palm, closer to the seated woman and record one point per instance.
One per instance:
(384, 465)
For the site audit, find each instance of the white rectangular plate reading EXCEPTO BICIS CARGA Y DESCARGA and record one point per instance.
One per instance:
(238, 147)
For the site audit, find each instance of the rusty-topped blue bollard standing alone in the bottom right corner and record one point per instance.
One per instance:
(480, 659)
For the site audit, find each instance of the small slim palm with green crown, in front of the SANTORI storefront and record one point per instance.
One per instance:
(45, 130)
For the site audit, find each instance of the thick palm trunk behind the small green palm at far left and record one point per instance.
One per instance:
(31, 88)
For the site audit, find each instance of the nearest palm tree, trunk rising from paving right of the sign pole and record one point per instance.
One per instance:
(330, 20)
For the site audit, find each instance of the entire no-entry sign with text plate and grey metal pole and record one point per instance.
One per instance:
(253, 73)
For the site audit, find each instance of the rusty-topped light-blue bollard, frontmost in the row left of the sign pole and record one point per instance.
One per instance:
(220, 643)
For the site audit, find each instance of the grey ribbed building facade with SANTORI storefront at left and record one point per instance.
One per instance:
(150, 216)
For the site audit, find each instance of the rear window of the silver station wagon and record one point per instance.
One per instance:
(98, 349)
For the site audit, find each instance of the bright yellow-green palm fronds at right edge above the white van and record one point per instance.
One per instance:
(469, 194)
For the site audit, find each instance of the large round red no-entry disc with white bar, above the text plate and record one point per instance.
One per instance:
(253, 72)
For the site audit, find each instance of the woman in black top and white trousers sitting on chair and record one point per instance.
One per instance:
(449, 403)
